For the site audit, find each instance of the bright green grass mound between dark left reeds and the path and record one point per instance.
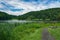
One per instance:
(27, 31)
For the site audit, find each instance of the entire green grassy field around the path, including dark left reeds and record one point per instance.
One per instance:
(28, 31)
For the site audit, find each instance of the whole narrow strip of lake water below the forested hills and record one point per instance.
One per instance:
(23, 21)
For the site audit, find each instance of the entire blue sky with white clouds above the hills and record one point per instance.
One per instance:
(20, 7)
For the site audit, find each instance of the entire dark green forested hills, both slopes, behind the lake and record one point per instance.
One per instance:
(48, 14)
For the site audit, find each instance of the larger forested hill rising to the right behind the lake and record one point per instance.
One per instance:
(48, 14)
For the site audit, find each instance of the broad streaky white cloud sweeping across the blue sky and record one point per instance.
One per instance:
(29, 6)
